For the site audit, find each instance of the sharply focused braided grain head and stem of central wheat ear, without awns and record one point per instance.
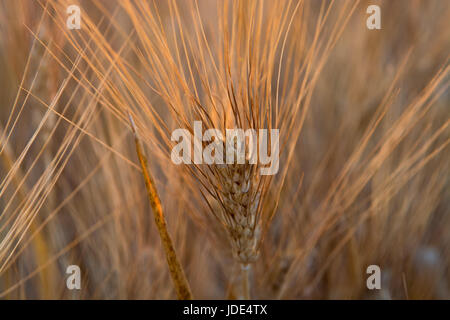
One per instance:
(238, 190)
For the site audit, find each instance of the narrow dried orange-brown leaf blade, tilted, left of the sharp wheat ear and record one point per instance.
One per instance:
(176, 270)
